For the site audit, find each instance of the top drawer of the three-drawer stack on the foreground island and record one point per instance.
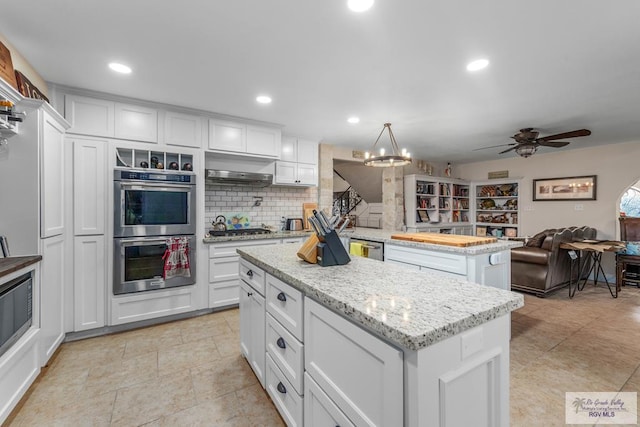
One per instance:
(284, 303)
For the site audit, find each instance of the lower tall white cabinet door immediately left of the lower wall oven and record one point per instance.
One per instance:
(89, 282)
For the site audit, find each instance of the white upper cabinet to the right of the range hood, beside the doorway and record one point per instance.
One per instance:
(298, 163)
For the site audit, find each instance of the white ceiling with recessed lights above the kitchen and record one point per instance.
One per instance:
(555, 65)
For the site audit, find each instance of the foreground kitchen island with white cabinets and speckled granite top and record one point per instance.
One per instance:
(370, 343)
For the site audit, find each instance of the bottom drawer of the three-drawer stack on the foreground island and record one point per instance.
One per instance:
(284, 396)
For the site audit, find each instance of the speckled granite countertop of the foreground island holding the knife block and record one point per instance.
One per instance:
(412, 309)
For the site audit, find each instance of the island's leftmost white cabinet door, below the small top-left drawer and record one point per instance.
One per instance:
(252, 329)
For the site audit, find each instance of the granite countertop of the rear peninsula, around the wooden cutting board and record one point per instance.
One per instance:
(384, 236)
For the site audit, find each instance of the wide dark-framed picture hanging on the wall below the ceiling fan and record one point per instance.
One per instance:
(569, 188)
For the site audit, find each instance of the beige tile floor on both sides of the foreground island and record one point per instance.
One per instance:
(190, 372)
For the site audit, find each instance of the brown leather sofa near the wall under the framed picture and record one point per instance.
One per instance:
(541, 266)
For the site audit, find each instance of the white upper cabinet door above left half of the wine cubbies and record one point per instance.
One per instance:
(136, 123)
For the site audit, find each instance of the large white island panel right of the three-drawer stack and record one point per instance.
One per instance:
(346, 362)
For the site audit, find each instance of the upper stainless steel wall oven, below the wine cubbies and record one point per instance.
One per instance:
(154, 203)
